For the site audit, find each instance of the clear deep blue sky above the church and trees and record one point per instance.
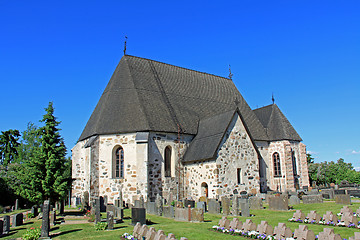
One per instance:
(306, 52)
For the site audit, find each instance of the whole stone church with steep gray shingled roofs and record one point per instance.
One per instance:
(180, 133)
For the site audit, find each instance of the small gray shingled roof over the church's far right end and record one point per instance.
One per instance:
(276, 124)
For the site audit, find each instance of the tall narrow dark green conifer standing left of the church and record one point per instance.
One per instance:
(52, 161)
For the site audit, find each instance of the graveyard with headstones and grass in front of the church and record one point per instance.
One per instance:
(189, 222)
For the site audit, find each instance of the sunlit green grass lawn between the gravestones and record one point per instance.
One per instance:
(198, 231)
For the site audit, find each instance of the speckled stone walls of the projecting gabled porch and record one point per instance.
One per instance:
(236, 152)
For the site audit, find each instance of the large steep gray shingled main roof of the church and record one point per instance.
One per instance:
(146, 95)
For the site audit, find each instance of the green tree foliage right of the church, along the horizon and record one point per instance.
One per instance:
(325, 173)
